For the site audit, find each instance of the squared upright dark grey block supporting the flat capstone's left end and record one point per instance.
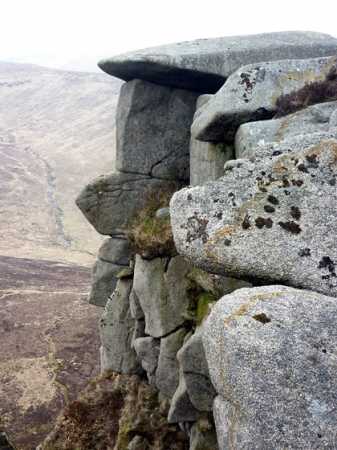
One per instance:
(153, 130)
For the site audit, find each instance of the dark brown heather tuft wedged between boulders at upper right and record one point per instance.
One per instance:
(310, 94)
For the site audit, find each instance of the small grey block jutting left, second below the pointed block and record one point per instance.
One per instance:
(104, 280)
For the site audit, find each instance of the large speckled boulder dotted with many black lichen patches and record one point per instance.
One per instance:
(274, 220)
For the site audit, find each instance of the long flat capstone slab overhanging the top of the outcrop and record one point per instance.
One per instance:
(203, 65)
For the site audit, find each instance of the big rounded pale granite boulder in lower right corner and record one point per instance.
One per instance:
(272, 354)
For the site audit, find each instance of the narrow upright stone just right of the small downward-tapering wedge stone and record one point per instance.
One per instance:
(167, 374)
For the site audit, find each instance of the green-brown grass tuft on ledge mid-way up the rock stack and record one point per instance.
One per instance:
(149, 235)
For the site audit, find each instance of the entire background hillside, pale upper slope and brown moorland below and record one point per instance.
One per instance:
(56, 134)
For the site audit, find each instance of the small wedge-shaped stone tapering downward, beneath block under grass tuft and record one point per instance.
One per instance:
(147, 349)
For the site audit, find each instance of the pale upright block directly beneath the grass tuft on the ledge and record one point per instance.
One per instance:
(161, 287)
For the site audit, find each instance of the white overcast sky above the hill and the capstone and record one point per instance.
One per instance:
(77, 33)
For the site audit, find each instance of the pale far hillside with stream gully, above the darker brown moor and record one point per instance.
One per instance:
(56, 134)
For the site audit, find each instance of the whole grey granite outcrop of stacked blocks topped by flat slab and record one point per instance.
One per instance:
(212, 320)
